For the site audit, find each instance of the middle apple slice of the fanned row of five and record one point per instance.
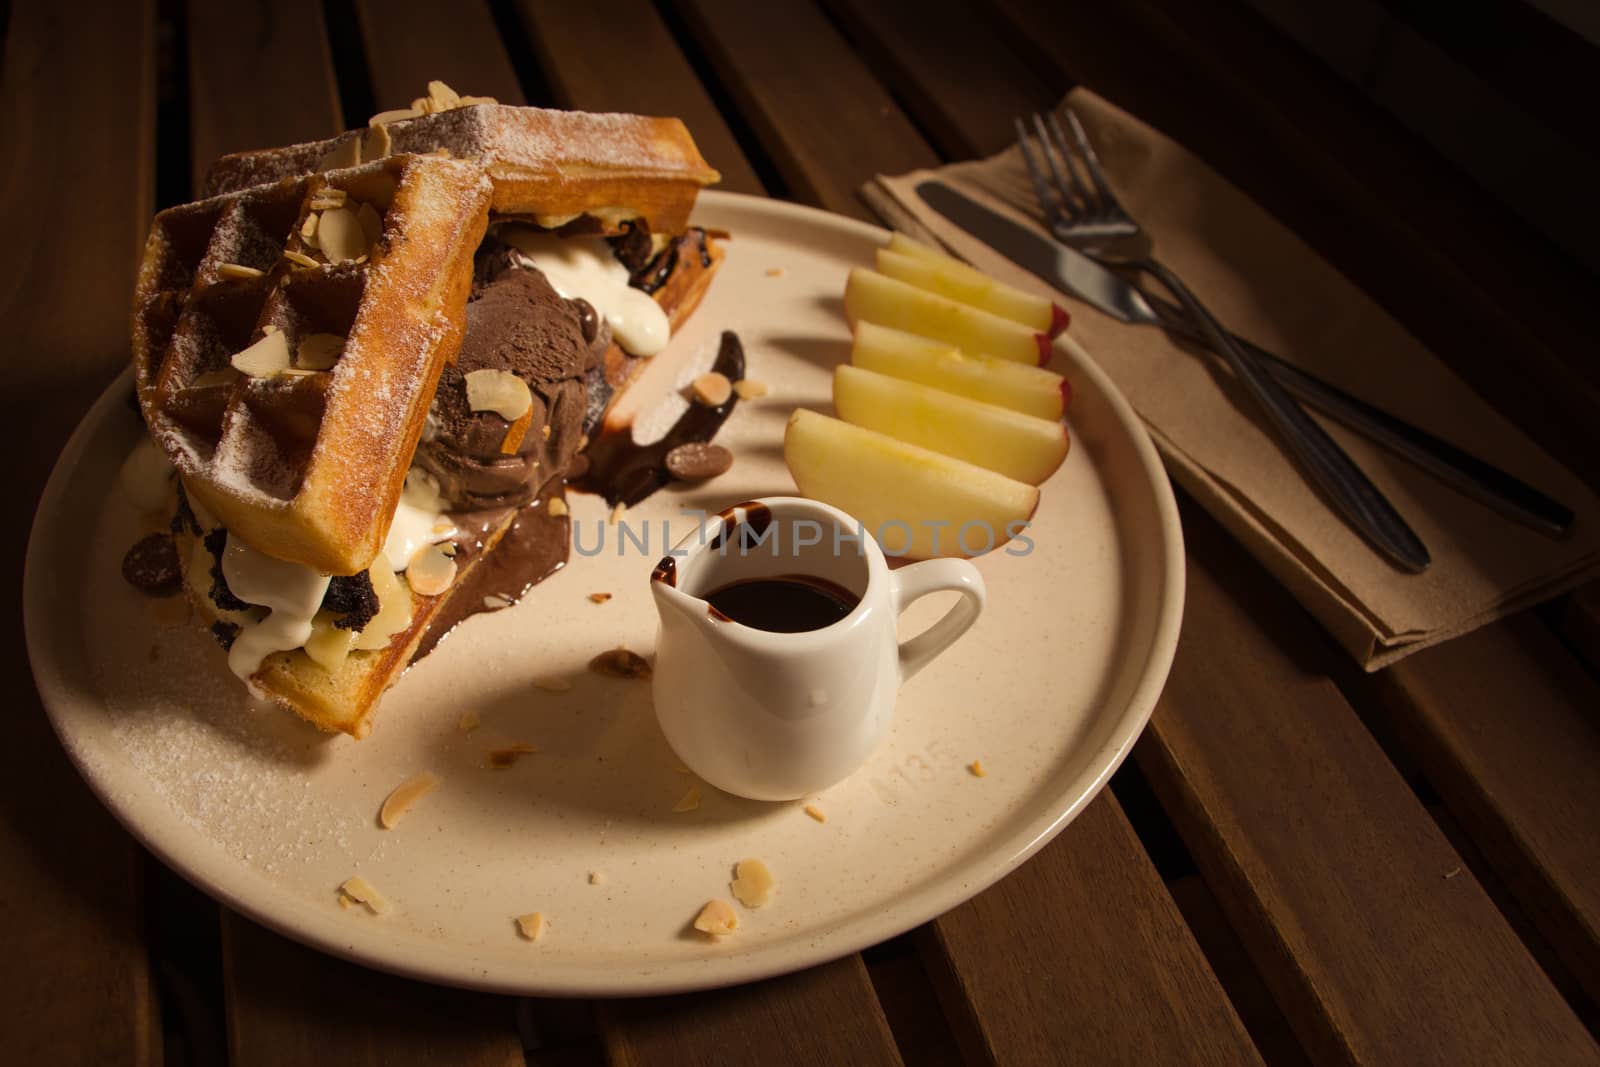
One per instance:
(898, 354)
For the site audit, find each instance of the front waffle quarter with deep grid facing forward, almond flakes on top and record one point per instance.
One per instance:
(306, 465)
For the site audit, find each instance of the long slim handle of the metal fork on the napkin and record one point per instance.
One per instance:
(1342, 481)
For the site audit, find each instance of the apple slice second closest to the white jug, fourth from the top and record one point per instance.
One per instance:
(1007, 442)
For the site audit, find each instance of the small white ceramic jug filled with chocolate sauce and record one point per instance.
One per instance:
(770, 714)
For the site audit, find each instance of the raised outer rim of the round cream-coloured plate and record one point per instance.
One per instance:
(943, 892)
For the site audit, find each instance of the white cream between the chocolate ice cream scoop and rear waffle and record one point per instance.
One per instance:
(585, 268)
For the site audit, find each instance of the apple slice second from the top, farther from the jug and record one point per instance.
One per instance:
(871, 297)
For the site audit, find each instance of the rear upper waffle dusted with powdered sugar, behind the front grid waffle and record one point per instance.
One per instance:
(554, 167)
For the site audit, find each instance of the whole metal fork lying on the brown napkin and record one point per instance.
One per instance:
(1089, 217)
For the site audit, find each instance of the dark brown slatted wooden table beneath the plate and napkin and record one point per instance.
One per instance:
(1302, 861)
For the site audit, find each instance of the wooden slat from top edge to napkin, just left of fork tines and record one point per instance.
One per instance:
(950, 68)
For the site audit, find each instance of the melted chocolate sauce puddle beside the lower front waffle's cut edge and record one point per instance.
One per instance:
(534, 549)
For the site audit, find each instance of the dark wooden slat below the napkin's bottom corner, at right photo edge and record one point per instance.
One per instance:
(1505, 725)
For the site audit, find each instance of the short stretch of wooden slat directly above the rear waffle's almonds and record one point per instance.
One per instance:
(412, 42)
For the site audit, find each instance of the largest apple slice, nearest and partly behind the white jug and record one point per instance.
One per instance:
(914, 502)
